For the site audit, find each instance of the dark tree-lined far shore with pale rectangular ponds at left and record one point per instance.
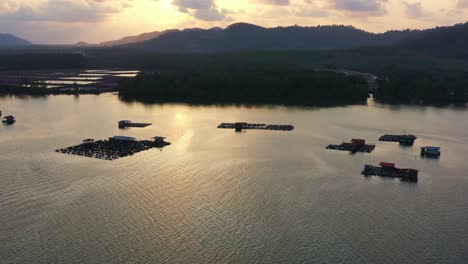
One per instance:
(256, 83)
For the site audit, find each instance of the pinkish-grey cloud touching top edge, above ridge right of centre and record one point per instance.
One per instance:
(368, 7)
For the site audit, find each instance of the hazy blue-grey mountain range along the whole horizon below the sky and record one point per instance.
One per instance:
(249, 37)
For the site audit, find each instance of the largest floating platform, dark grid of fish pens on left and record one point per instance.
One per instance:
(113, 148)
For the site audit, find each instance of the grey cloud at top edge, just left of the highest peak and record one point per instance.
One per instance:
(205, 10)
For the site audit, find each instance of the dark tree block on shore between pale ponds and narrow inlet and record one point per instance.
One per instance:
(276, 85)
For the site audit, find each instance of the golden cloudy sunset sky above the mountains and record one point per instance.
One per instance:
(94, 21)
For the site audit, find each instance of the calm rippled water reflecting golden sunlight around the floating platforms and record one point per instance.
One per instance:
(215, 196)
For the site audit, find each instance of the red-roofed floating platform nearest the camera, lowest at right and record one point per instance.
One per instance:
(389, 170)
